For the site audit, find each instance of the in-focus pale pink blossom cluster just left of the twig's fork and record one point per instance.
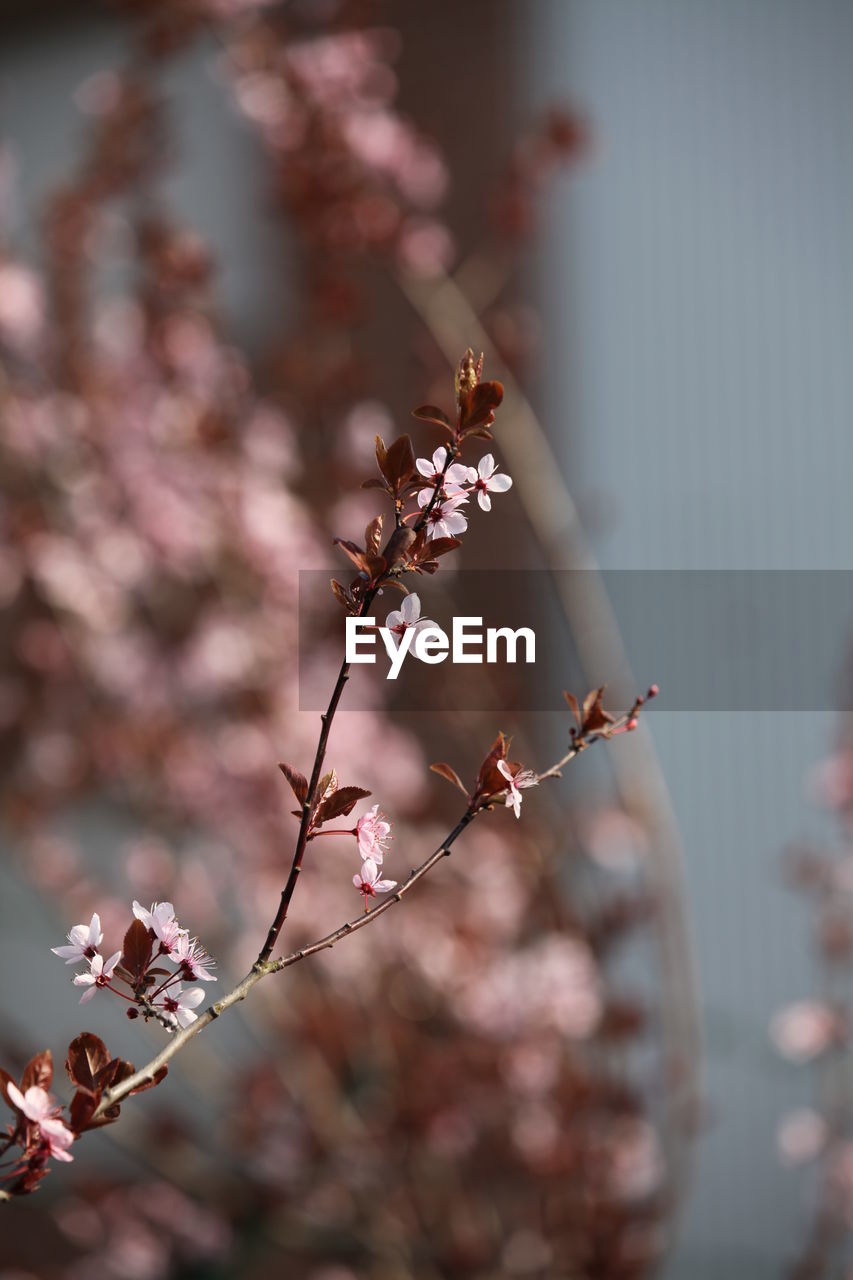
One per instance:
(153, 938)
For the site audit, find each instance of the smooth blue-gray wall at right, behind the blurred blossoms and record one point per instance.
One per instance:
(697, 282)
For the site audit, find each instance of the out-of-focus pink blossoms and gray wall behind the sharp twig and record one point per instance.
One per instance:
(236, 241)
